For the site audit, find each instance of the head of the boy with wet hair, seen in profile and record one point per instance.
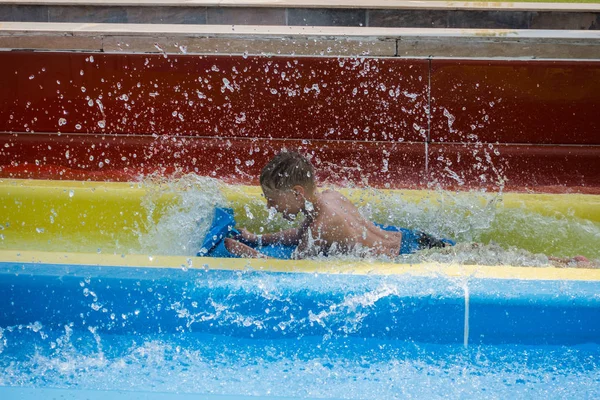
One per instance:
(287, 180)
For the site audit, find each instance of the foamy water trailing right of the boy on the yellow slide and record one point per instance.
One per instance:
(482, 218)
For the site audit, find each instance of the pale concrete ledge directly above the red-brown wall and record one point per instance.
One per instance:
(301, 41)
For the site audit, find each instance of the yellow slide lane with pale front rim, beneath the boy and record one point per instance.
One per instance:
(74, 221)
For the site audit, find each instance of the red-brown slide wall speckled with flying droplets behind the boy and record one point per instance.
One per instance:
(379, 122)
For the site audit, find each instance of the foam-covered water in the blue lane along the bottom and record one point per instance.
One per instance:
(312, 367)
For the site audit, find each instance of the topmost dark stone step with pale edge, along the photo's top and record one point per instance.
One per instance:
(350, 13)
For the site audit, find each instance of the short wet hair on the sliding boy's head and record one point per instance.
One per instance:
(286, 170)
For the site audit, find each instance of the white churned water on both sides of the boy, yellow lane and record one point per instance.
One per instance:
(487, 232)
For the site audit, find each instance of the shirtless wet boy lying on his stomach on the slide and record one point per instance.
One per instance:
(332, 224)
